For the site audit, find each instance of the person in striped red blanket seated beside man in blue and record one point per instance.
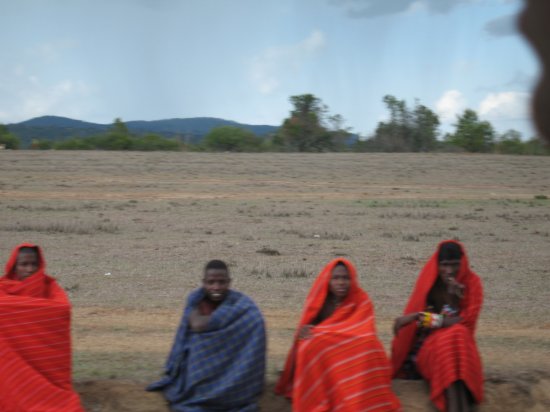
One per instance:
(337, 362)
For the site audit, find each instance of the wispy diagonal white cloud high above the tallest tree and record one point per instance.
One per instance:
(268, 68)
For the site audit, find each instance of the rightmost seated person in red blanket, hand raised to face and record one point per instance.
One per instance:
(434, 339)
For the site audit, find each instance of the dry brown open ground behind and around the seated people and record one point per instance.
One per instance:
(128, 233)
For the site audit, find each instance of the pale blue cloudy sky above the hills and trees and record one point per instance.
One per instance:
(241, 60)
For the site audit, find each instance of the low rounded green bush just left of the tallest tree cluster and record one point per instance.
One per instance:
(232, 139)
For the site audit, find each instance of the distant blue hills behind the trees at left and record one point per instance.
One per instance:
(189, 130)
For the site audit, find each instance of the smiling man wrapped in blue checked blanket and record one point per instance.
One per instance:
(217, 362)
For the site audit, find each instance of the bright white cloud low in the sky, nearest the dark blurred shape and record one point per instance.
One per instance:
(505, 106)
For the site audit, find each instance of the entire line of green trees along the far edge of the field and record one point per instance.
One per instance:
(310, 127)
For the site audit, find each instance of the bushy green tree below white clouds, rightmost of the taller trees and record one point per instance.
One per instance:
(472, 134)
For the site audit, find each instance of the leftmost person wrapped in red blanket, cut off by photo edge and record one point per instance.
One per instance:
(35, 347)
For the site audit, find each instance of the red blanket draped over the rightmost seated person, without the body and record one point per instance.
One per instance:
(447, 354)
